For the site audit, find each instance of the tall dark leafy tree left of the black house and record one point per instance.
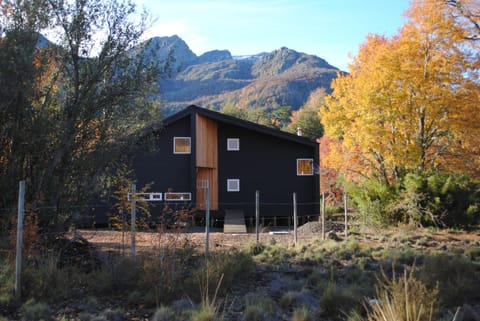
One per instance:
(72, 107)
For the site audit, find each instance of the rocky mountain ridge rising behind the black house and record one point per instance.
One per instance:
(283, 77)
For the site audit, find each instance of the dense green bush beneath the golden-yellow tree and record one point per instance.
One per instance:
(421, 199)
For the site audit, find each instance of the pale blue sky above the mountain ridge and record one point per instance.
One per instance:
(331, 29)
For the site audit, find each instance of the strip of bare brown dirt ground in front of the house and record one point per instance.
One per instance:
(147, 241)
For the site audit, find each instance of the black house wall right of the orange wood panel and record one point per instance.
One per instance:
(268, 164)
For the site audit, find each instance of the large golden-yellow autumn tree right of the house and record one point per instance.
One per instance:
(410, 102)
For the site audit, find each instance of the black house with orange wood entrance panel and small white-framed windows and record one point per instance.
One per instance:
(237, 158)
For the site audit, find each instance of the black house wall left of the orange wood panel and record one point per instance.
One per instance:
(164, 168)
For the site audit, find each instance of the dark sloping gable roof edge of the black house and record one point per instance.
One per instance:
(227, 119)
